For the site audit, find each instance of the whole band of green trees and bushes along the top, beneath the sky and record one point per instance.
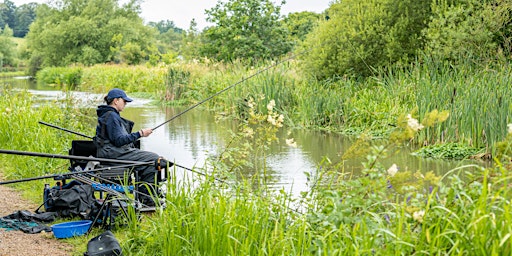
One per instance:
(358, 38)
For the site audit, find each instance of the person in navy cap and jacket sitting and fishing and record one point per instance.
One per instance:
(114, 139)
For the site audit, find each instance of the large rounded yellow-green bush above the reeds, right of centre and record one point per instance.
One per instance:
(361, 36)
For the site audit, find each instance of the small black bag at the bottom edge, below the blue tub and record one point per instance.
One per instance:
(105, 244)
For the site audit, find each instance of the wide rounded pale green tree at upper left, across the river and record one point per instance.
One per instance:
(88, 32)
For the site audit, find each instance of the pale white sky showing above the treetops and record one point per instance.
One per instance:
(181, 14)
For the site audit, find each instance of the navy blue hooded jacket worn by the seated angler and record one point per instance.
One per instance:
(117, 130)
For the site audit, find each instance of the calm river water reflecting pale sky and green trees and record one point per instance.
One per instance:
(191, 138)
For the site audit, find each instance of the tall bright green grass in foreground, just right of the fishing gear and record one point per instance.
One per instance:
(210, 220)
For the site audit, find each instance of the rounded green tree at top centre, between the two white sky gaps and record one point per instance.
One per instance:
(245, 29)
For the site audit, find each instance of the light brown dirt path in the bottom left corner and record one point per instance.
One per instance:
(14, 243)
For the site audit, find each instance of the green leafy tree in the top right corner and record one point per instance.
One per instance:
(460, 30)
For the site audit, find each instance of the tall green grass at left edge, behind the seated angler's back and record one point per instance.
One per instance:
(20, 131)
